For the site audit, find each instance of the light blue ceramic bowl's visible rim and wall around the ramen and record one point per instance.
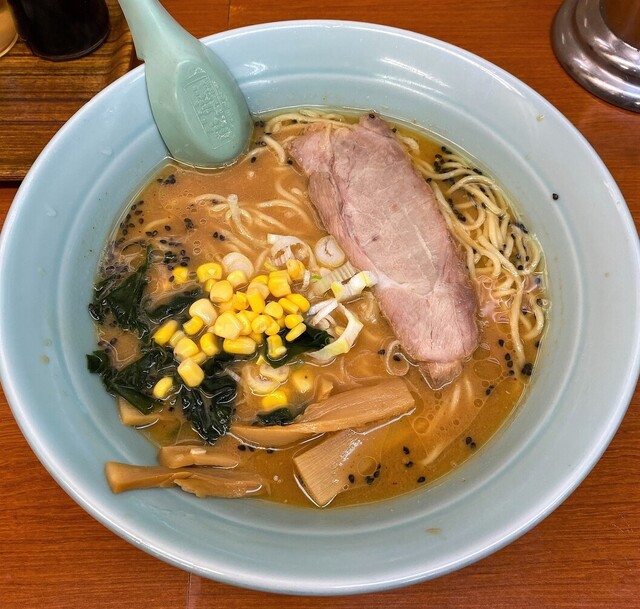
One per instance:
(579, 393)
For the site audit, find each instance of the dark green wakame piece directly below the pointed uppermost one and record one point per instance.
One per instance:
(134, 382)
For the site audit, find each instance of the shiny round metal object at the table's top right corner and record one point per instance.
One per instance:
(598, 44)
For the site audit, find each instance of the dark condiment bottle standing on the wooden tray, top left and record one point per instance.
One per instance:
(62, 29)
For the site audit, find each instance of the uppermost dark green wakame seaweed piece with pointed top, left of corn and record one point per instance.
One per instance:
(123, 298)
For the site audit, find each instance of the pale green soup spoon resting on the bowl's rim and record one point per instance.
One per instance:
(197, 104)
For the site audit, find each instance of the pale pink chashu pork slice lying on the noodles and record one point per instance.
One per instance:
(386, 218)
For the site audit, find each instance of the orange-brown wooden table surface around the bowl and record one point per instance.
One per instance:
(586, 554)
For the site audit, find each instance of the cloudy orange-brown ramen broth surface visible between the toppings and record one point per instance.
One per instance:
(174, 214)
